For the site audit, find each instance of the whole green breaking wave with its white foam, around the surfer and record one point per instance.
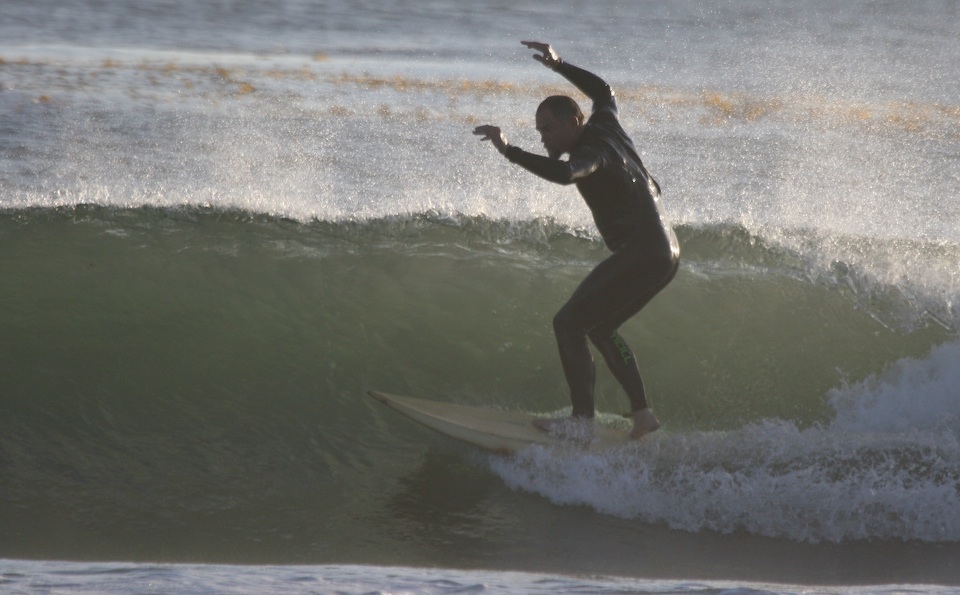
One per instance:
(183, 370)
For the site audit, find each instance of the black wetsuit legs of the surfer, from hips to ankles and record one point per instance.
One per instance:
(612, 293)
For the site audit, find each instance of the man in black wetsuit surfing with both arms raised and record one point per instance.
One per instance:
(626, 207)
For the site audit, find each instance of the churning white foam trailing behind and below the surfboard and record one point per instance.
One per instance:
(874, 473)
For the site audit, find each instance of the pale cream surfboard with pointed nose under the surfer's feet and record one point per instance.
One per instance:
(496, 430)
